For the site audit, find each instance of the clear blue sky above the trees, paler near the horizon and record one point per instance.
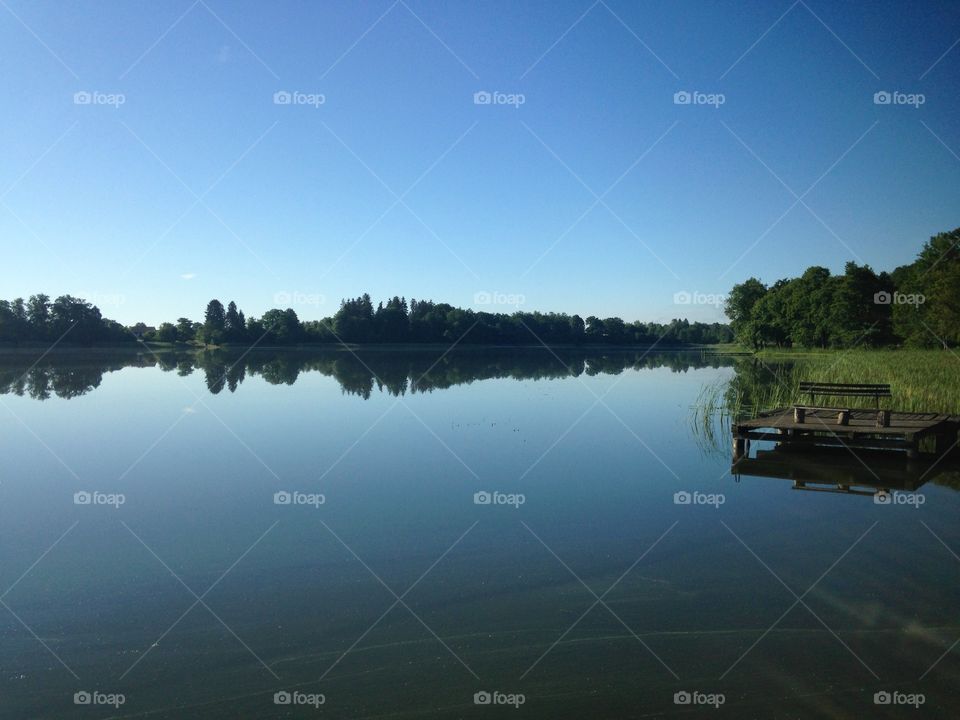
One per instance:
(583, 187)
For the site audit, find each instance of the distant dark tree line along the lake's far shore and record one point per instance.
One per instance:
(356, 321)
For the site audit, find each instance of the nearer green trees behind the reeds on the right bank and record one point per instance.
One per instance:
(915, 305)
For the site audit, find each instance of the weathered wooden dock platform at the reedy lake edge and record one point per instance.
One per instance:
(916, 433)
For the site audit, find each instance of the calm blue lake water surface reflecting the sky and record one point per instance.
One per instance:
(583, 585)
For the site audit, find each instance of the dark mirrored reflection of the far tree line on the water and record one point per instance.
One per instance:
(359, 373)
